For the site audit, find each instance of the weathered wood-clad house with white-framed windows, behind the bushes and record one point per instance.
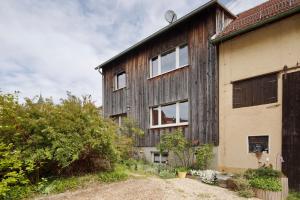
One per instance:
(169, 80)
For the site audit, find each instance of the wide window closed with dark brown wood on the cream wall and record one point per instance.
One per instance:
(255, 91)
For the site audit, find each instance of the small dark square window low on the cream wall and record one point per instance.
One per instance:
(258, 144)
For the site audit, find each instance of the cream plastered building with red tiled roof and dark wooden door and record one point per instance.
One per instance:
(259, 89)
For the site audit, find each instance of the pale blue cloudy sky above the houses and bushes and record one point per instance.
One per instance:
(49, 47)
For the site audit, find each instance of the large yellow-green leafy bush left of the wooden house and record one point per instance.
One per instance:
(67, 138)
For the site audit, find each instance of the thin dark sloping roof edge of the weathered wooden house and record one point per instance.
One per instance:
(167, 28)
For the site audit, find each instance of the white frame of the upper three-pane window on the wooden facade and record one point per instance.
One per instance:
(177, 66)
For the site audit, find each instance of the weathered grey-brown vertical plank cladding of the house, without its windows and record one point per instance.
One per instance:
(197, 82)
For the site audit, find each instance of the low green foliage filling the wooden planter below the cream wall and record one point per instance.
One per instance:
(271, 184)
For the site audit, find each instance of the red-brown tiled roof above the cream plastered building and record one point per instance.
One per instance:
(258, 16)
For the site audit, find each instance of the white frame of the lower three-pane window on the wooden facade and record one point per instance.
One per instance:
(160, 125)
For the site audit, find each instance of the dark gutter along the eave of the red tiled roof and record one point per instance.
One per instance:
(255, 26)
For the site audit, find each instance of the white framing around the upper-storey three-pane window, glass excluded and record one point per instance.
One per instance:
(177, 61)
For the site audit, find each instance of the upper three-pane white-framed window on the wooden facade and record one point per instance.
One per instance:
(171, 60)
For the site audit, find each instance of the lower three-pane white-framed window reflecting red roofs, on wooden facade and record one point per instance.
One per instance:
(169, 115)
